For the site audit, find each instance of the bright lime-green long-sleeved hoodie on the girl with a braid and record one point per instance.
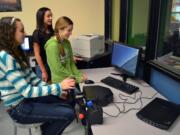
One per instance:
(61, 67)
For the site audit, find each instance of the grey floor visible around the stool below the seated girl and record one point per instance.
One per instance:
(6, 126)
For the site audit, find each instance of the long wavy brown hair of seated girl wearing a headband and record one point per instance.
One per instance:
(8, 41)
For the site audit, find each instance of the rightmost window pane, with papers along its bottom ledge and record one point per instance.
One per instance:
(168, 45)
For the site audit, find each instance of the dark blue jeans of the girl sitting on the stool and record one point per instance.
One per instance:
(56, 114)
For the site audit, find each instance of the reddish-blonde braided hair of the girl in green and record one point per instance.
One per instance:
(62, 23)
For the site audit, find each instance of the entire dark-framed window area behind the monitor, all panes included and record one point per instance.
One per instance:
(153, 25)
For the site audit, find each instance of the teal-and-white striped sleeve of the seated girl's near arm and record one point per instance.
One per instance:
(28, 90)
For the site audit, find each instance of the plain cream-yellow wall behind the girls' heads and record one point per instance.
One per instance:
(87, 15)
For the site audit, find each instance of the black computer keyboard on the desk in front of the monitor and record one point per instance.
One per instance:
(120, 85)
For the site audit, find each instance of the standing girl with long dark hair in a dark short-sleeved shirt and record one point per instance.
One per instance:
(41, 34)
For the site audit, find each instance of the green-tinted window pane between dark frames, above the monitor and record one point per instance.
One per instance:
(138, 22)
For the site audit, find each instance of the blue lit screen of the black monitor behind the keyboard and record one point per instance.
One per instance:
(125, 58)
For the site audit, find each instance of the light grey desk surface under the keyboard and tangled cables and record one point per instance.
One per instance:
(128, 123)
